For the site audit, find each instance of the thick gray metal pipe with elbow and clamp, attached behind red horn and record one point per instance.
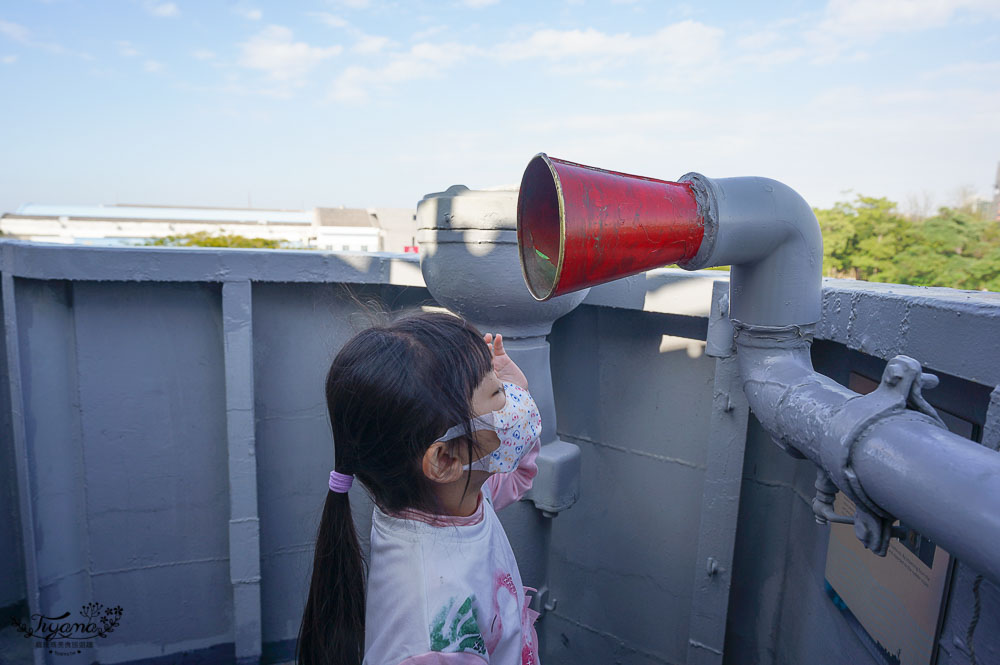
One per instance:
(888, 451)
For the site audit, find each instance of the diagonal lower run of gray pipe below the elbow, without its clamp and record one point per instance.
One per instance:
(941, 484)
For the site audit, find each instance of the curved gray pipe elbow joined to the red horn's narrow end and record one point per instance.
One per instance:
(769, 235)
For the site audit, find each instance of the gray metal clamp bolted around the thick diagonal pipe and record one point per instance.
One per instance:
(901, 387)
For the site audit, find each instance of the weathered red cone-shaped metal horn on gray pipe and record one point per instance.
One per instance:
(578, 226)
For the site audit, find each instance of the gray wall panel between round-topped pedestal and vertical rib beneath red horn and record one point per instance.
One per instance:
(623, 557)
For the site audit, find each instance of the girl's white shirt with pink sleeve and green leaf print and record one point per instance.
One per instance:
(446, 590)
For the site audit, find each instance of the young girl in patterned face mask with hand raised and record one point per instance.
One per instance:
(436, 423)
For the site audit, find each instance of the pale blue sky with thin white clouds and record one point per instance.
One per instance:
(377, 102)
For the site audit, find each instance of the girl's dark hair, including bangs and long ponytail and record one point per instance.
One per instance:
(391, 391)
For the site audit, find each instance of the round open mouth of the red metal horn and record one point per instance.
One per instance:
(541, 227)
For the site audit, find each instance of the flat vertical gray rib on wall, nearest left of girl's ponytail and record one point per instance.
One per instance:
(244, 523)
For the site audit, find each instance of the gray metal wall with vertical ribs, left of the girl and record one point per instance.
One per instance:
(122, 443)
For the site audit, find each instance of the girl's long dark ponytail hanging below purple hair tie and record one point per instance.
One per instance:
(333, 623)
